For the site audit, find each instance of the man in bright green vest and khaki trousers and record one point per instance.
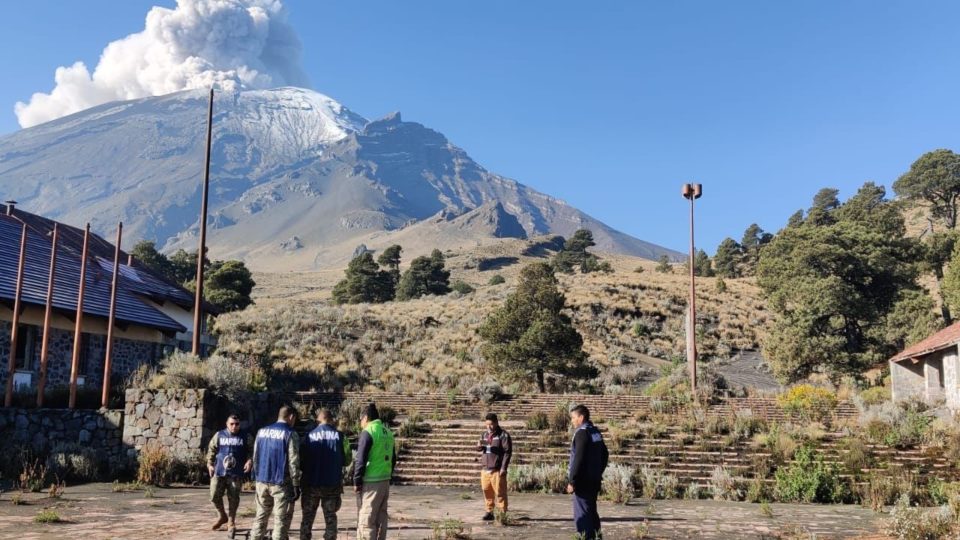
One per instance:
(373, 468)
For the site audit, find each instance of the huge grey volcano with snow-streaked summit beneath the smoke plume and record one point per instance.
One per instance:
(298, 180)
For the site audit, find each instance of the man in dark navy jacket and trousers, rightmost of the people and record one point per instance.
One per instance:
(588, 459)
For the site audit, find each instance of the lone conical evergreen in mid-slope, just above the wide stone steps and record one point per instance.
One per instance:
(529, 334)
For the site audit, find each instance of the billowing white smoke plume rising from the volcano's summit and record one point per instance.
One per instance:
(230, 44)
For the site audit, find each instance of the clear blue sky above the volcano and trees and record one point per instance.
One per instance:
(610, 106)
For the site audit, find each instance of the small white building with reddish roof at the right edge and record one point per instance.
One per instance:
(929, 370)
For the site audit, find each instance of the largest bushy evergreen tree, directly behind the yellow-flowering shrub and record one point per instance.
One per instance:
(833, 287)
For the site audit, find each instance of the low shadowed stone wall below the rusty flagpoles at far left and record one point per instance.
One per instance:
(43, 429)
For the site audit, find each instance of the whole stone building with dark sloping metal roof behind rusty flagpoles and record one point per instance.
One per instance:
(153, 316)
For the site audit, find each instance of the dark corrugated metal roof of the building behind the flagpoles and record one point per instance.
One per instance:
(130, 308)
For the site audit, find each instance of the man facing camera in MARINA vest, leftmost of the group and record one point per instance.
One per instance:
(228, 460)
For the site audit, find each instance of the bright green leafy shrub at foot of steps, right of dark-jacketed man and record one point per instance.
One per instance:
(808, 479)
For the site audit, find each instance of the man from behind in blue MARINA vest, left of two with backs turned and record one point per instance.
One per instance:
(276, 468)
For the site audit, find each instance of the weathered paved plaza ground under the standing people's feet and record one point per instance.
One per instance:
(94, 511)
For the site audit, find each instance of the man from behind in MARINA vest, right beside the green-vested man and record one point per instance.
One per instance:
(326, 451)
